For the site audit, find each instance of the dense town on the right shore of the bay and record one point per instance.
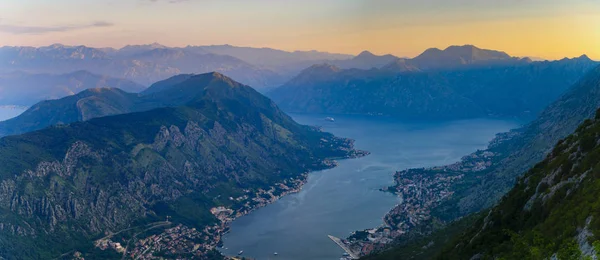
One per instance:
(421, 190)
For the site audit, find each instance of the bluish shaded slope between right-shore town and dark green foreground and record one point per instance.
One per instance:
(520, 149)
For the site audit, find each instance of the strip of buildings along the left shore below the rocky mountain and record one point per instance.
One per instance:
(182, 240)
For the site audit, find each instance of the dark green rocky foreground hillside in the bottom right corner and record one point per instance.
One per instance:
(552, 212)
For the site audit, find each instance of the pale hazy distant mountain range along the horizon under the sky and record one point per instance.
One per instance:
(261, 68)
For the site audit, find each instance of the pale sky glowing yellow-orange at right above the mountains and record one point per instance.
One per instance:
(549, 29)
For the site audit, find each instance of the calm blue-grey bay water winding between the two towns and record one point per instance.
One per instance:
(344, 199)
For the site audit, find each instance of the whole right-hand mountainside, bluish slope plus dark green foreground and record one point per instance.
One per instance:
(543, 214)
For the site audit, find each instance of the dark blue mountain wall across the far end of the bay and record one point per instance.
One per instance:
(401, 90)
